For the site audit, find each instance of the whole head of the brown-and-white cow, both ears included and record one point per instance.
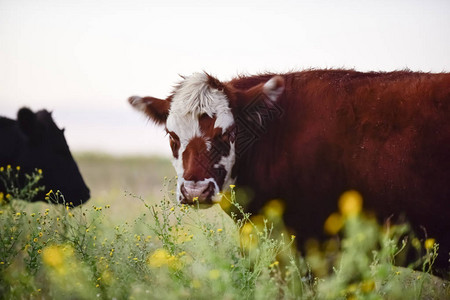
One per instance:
(202, 130)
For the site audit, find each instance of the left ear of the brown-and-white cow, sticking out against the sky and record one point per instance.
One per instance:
(156, 109)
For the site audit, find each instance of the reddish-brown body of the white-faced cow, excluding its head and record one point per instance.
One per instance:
(386, 135)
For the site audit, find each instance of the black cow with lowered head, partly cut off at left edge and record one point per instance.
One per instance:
(35, 142)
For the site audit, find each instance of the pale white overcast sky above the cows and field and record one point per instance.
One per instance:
(84, 58)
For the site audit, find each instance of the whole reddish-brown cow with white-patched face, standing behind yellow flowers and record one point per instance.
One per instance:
(306, 137)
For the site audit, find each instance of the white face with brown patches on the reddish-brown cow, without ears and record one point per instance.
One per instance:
(200, 124)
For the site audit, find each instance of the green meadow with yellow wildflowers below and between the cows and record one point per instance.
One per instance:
(131, 241)
